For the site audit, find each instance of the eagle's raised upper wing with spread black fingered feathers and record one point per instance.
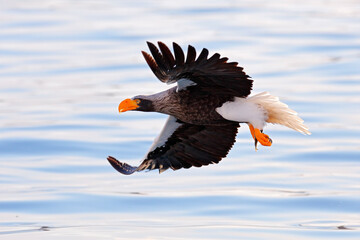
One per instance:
(214, 75)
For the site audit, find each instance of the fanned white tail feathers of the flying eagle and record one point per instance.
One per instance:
(278, 112)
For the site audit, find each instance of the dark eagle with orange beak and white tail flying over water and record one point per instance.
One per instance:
(205, 107)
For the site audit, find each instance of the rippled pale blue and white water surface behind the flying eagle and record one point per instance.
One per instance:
(65, 66)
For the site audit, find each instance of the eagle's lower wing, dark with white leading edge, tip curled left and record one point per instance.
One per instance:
(182, 145)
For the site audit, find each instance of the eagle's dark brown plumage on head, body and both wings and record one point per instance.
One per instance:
(202, 136)
